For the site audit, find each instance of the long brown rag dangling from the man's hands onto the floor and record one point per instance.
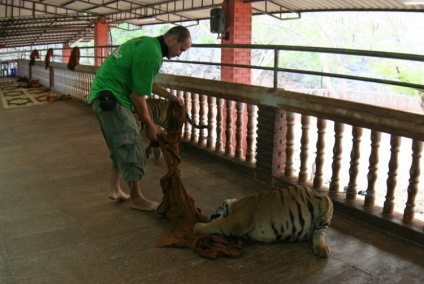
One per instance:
(178, 206)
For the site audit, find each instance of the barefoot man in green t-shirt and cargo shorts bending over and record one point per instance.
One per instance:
(120, 86)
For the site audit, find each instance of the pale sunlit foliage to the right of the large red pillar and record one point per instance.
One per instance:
(377, 31)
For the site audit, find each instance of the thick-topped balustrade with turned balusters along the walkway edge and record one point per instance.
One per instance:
(357, 152)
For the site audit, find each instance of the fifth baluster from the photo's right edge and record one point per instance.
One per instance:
(337, 156)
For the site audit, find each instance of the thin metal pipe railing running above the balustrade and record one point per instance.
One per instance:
(276, 49)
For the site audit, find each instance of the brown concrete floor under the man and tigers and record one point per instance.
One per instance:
(58, 226)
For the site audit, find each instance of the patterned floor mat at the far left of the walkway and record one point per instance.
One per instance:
(13, 94)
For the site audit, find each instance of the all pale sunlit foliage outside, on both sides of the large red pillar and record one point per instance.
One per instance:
(377, 31)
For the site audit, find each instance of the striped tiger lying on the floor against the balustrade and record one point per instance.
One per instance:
(295, 213)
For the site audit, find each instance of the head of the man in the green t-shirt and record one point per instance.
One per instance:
(178, 40)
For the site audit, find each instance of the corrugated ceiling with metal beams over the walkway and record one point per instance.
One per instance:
(26, 23)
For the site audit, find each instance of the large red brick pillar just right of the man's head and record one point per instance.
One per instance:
(239, 31)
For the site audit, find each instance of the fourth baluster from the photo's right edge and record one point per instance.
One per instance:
(355, 154)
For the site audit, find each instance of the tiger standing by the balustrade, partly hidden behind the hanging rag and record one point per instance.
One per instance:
(161, 115)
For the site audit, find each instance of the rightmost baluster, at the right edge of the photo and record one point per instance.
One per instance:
(414, 178)
